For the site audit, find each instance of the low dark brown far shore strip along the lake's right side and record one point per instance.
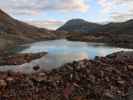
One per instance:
(112, 41)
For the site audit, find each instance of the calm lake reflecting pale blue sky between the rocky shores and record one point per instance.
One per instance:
(61, 52)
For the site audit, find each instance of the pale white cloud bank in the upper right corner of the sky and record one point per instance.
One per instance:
(119, 10)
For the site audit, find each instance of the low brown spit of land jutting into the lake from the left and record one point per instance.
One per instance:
(18, 59)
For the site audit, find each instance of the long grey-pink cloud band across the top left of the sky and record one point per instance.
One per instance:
(33, 7)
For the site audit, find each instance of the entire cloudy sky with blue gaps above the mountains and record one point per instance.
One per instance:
(53, 13)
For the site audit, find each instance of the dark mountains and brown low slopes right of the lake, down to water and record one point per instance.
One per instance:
(118, 34)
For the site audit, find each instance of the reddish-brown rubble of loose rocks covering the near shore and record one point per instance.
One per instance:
(105, 78)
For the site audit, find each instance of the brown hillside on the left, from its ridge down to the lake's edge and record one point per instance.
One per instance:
(14, 31)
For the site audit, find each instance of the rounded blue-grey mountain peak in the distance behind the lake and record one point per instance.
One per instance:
(79, 26)
